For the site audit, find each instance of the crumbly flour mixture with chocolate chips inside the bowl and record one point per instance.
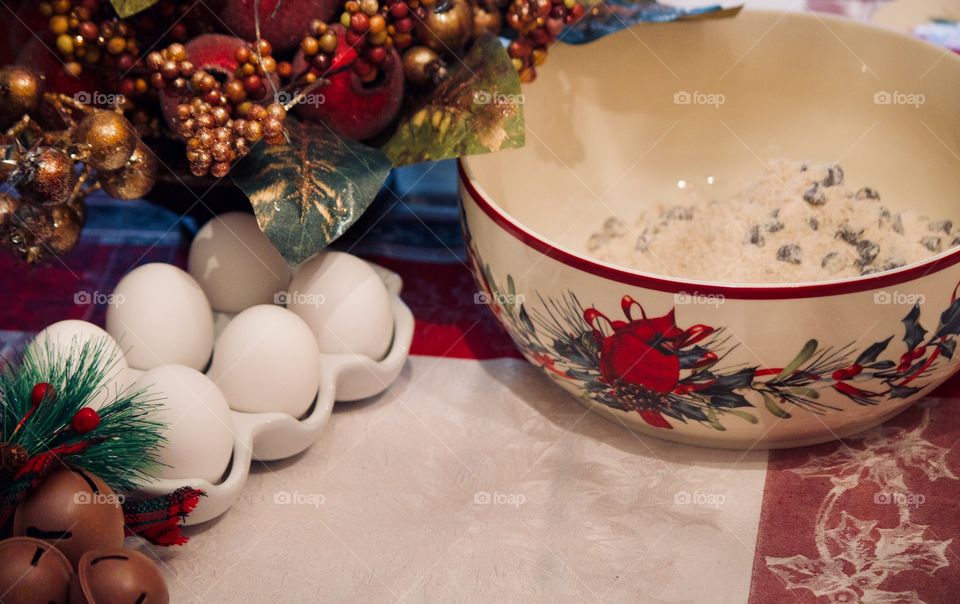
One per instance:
(799, 222)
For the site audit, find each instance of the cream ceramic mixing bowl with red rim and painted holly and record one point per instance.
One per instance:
(660, 112)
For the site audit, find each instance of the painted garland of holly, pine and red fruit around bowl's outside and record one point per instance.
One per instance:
(667, 373)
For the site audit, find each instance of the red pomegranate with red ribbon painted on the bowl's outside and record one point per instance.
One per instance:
(640, 358)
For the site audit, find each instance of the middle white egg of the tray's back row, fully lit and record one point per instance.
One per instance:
(161, 316)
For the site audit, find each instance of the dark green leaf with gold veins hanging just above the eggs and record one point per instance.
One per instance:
(308, 192)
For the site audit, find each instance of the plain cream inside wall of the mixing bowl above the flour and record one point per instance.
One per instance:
(605, 137)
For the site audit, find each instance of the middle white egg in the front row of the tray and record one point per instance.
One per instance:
(267, 359)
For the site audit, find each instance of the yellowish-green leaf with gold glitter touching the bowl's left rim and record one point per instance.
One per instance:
(478, 108)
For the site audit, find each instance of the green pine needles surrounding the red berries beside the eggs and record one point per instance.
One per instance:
(127, 440)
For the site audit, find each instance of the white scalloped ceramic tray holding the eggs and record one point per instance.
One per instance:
(272, 436)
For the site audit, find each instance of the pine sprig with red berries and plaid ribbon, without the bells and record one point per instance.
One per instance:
(56, 412)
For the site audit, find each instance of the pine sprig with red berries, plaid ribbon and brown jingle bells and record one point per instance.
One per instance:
(71, 454)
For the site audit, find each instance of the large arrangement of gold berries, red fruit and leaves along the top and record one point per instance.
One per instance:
(305, 105)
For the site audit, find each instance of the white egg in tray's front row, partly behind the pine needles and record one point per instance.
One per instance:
(198, 428)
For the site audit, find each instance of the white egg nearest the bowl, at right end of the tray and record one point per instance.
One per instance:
(345, 303)
